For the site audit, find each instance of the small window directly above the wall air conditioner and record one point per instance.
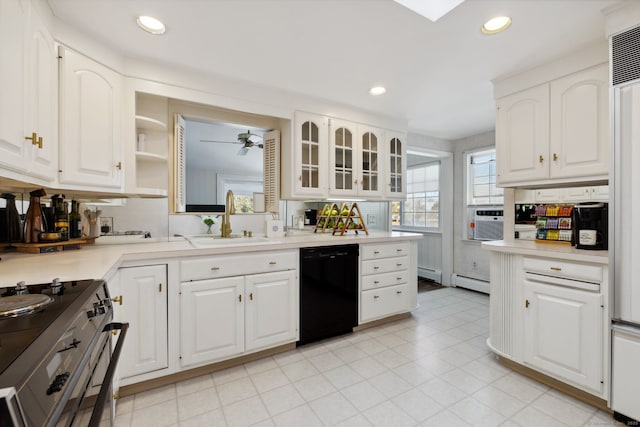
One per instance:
(481, 179)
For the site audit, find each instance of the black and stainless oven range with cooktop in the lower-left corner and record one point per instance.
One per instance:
(56, 353)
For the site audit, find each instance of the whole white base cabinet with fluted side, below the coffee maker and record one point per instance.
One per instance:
(551, 315)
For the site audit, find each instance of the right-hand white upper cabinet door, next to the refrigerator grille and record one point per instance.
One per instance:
(579, 125)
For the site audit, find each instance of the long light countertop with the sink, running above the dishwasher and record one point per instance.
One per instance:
(101, 261)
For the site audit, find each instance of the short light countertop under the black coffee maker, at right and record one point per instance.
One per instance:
(548, 250)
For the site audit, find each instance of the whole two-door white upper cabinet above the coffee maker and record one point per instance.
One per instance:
(556, 132)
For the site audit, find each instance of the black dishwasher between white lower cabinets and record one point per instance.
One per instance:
(328, 291)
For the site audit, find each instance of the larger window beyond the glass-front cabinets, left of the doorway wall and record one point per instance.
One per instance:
(421, 209)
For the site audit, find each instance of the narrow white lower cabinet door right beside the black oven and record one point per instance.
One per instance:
(144, 306)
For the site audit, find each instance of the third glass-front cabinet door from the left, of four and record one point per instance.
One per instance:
(369, 181)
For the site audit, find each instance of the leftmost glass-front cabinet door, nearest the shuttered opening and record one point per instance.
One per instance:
(310, 162)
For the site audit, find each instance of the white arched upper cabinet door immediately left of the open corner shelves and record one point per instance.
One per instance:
(90, 123)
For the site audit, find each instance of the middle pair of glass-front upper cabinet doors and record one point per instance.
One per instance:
(354, 160)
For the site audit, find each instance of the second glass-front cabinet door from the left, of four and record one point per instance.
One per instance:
(343, 174)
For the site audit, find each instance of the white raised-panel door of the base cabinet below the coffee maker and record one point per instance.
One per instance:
(564, 335)
